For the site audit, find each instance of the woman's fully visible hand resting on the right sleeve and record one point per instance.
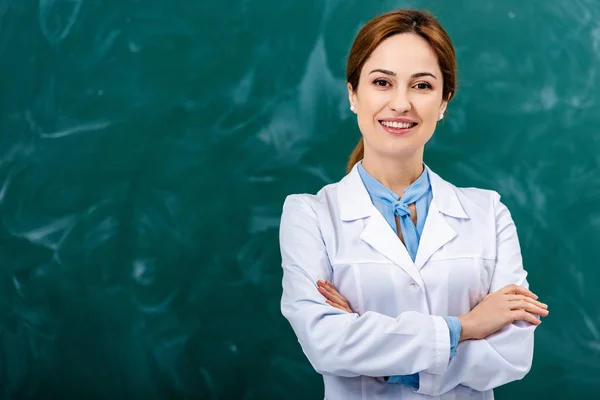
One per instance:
(507, 305)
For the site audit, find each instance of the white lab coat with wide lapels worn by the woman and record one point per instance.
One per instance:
(468, 249)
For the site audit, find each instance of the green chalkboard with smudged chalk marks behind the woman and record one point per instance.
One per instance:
(146, 148)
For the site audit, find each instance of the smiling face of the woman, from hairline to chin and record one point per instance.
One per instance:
(399, 97)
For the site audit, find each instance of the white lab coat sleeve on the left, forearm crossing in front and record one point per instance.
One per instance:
(340, 343)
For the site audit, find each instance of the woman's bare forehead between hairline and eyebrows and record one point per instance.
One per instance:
(404, 54)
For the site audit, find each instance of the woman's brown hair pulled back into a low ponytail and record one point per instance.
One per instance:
(374, 32)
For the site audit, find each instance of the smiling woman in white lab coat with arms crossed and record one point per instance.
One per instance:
(435, 294)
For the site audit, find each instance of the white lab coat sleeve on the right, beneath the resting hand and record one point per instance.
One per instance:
(504, 356)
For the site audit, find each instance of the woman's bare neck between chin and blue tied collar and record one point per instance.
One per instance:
(396, 174)
